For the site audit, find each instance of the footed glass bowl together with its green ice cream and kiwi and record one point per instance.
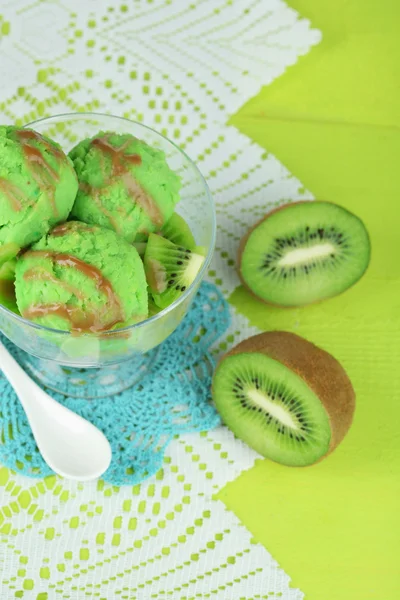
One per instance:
(102, 255)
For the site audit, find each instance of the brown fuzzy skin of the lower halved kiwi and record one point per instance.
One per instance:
(319, 369)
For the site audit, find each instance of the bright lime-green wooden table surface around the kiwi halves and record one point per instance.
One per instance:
(333, 120)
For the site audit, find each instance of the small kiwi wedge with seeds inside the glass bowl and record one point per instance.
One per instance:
(170, 269)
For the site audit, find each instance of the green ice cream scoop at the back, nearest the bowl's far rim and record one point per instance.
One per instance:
(124, 184)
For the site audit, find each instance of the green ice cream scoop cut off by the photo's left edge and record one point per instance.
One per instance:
(38, 186)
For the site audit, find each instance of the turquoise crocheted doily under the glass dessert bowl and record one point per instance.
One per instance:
(173, 398)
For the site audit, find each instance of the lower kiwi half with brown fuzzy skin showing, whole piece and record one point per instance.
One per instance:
(289, 400)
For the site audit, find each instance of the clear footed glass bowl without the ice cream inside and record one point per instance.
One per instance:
(99, 365)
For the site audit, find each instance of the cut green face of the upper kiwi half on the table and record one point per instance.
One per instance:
(303, 253)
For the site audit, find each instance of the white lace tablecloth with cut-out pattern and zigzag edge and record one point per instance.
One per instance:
(183, 67)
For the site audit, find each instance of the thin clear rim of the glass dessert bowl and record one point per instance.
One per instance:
(192, 286)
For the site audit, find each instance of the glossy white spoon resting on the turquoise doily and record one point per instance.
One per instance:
(70, 445)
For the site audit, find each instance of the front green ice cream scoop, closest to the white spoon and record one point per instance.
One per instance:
(81, 278)
